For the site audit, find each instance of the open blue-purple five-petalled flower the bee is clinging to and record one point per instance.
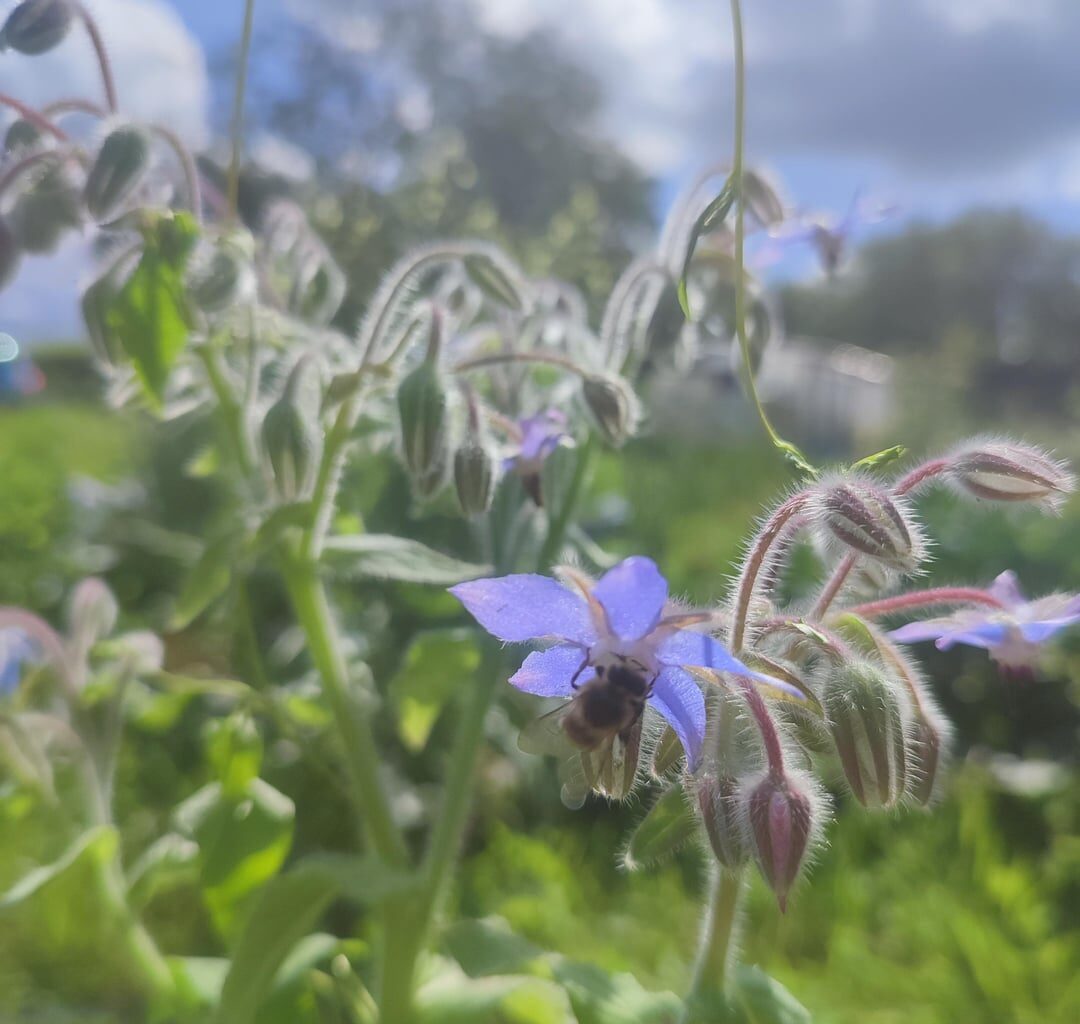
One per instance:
(619, 621)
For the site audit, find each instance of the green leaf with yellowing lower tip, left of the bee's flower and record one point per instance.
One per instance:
(438, 665)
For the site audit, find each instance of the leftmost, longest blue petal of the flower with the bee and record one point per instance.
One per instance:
(528, 607)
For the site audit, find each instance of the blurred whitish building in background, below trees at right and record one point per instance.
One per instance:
(829, 397)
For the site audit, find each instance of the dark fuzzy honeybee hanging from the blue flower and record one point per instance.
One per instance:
(598, 732)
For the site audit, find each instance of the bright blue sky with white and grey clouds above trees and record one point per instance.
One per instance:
(933, 106)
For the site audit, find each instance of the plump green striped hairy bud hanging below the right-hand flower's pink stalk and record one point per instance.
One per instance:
(867, 712)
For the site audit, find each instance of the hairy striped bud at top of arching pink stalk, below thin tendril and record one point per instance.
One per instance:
(870, 521)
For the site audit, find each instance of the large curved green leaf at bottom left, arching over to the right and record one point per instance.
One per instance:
(287, 910)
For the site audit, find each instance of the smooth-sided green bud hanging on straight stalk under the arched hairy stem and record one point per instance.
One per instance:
(424, 408)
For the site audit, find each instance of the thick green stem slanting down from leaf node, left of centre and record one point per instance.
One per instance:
(314, 613)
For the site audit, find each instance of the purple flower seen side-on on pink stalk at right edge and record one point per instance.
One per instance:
(1012, 634)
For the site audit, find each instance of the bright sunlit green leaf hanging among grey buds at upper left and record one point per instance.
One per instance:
(150, 316)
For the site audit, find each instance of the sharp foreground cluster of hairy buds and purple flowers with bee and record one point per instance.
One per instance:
(819, 685)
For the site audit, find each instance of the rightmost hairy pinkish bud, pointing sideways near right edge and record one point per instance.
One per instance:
(1008, 471)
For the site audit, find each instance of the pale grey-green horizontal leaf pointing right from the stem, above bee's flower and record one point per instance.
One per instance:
(386, 558)
